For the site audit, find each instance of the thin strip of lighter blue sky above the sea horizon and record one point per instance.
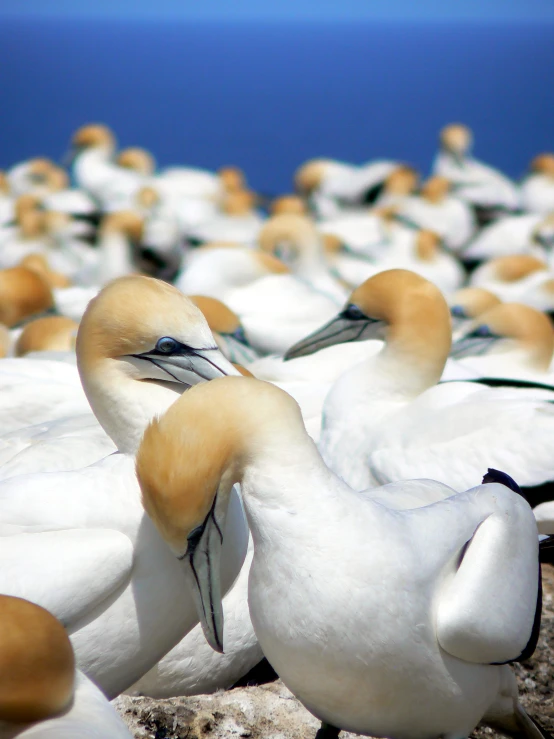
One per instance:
(422, 10)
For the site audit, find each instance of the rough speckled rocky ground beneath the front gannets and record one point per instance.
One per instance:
(269, 710)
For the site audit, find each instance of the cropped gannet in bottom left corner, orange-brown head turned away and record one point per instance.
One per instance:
(42, 695)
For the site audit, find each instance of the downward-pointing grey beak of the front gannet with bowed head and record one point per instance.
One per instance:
(203, 564)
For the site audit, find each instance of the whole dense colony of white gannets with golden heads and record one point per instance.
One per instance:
(316, 428)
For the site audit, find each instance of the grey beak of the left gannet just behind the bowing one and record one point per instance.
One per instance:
(187, 368)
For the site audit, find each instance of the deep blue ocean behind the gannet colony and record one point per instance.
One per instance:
(269, 96)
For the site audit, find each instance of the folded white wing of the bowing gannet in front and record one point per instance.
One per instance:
(488, 606)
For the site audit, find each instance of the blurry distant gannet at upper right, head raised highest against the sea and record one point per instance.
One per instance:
(489, 191)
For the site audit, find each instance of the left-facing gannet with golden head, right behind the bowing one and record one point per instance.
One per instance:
(387, 419)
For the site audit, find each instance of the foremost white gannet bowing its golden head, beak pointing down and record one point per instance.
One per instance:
(350, 604)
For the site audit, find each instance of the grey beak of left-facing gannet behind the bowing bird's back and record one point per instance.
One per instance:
(340, 330)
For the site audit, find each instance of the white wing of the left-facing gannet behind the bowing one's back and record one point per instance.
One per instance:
(454, 434)
